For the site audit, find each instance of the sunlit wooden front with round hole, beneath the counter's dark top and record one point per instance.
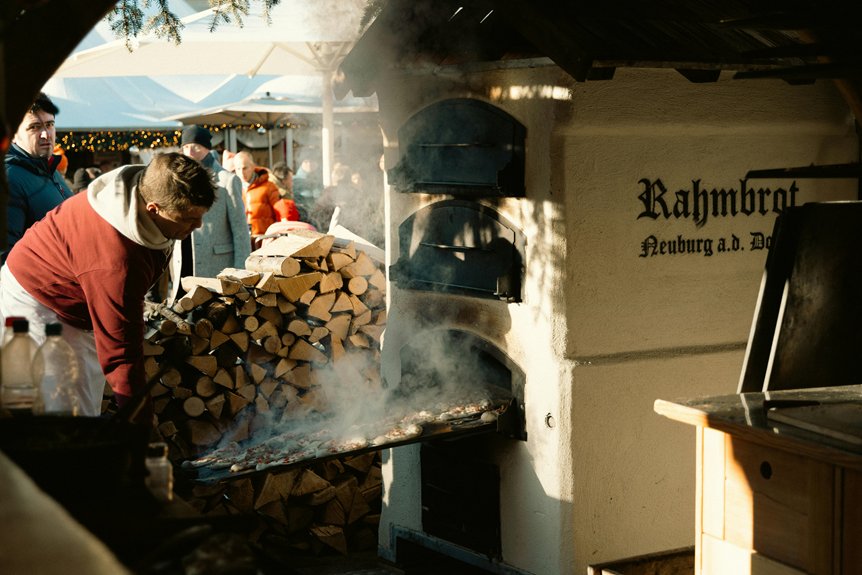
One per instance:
(761, 505)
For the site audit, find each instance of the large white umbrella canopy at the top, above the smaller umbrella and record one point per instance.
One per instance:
(305, 37)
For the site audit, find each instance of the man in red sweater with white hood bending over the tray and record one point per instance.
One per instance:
(91, 260)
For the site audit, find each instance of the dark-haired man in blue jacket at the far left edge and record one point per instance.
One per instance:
(35, 185)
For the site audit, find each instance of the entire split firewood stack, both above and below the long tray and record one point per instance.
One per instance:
(254, 346)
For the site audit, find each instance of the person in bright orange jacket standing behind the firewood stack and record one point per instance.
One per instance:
(263, 203)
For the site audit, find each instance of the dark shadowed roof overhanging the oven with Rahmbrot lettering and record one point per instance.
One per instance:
(800, 41)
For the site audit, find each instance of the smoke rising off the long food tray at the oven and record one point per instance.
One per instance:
(441, 371)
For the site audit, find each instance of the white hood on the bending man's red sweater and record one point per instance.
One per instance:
(115, 198)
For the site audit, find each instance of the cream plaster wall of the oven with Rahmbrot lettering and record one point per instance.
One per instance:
(603, 332)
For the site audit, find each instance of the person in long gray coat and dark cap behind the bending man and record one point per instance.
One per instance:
(223, 241)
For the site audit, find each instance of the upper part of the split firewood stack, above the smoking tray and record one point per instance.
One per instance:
(257, 340)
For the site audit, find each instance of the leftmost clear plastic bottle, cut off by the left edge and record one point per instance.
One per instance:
(18, 393)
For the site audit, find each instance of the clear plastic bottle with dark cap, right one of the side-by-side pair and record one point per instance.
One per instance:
(57, 372)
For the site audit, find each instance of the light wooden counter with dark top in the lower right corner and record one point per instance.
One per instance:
(774, 497)
